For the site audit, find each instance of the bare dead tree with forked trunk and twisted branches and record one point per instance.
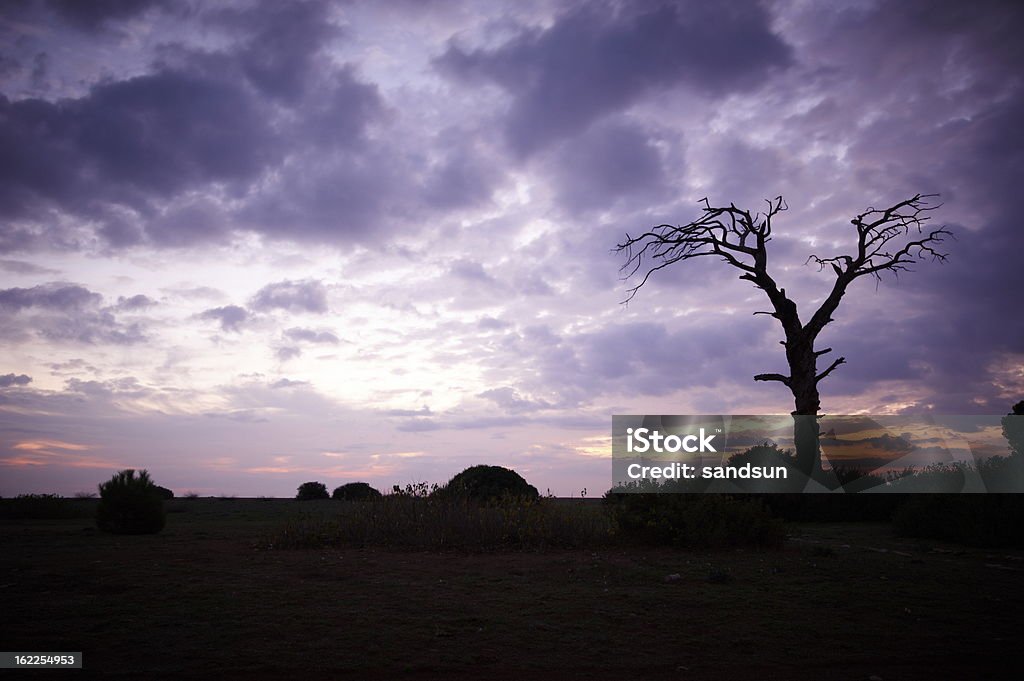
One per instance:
(888, 240)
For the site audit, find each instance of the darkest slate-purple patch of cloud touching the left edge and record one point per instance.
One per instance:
(130, 144)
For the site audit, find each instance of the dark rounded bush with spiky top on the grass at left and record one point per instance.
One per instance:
(131, 505)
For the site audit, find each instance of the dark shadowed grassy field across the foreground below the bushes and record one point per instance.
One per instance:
(207, 598)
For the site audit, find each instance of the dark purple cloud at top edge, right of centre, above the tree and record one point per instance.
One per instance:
(600, 59)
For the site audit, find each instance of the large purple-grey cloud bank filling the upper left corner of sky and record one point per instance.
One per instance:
(170, 158)
